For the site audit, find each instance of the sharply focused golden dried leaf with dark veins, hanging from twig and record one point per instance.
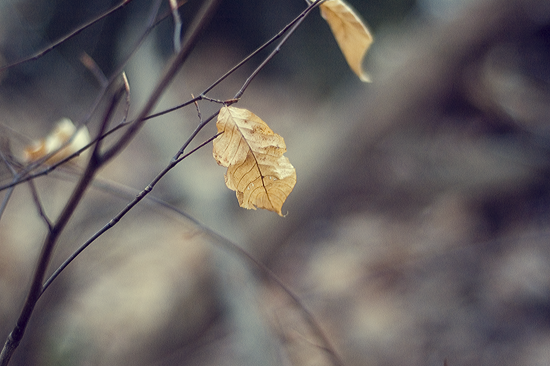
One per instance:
(253, 154)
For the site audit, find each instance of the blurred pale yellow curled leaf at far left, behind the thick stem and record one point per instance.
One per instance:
(64, 130)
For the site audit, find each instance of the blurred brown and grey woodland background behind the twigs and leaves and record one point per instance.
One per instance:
(418, 230)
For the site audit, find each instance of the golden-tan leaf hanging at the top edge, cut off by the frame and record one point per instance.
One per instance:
(350, 32)
